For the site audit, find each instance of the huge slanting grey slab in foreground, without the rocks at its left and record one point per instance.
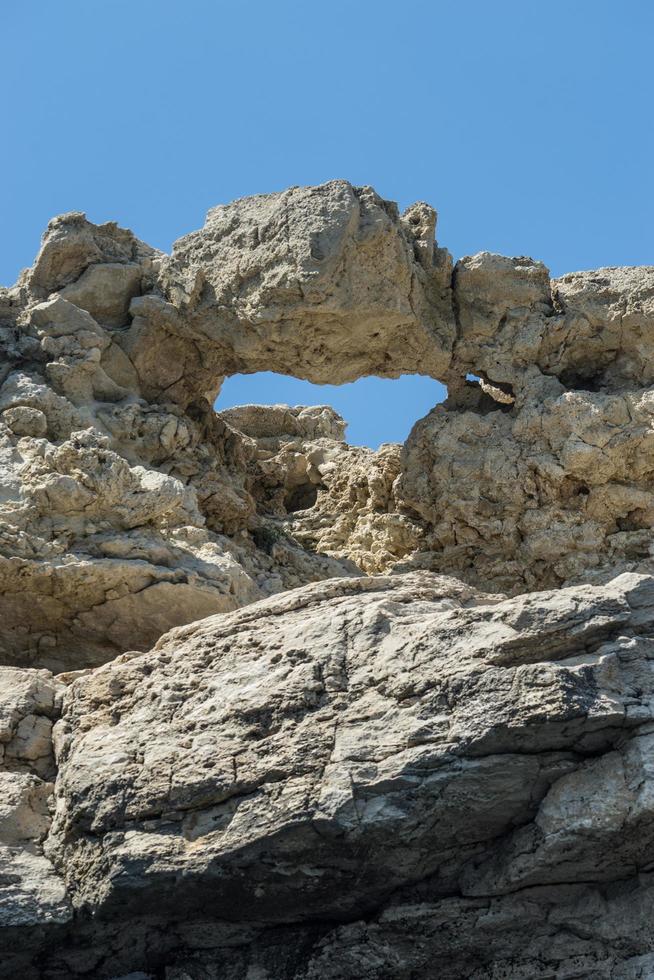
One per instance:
(357, 714)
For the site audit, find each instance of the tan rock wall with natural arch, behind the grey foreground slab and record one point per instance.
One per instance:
(130, 506)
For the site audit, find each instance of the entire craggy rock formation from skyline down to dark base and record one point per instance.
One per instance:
(274, 707)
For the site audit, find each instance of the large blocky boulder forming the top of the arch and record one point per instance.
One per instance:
(327, 283)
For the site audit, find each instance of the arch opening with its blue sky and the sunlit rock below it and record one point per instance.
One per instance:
(334, 496)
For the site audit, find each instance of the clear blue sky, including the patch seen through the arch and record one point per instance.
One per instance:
(529, 126)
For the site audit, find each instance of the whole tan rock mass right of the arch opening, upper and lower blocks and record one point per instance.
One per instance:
(541, 475)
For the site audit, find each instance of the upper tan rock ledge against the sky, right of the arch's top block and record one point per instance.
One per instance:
(591, 330)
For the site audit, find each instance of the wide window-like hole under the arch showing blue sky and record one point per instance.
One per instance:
(377, 410)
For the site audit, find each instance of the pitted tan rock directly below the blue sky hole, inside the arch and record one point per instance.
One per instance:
(330, 497)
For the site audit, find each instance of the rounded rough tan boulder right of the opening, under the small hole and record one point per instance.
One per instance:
(555, 492)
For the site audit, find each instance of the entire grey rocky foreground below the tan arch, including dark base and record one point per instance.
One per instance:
(341, 766)
